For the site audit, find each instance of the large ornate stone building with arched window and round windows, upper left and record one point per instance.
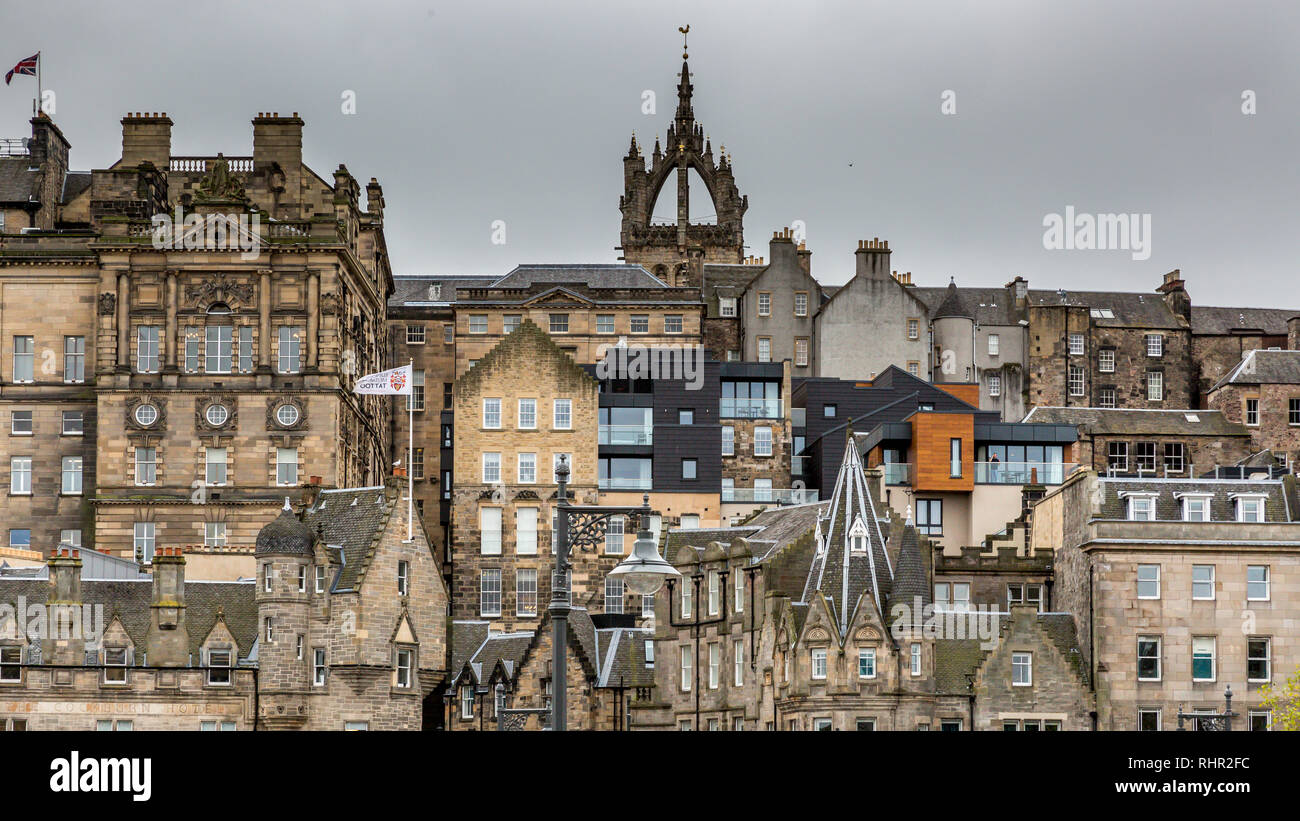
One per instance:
(194, 371)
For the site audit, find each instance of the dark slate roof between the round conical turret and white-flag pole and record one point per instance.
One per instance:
(353, 520)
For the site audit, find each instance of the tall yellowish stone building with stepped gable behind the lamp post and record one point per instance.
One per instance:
(518, 411)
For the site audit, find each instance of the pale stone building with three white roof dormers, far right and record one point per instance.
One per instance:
(1181, 589)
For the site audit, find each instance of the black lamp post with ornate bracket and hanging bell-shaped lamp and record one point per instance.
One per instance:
(583, 527)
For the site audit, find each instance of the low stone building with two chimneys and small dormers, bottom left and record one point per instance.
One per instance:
(150, 654)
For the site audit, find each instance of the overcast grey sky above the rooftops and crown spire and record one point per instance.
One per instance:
(474, 112)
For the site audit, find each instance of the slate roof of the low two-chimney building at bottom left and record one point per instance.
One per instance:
(131, 601)
